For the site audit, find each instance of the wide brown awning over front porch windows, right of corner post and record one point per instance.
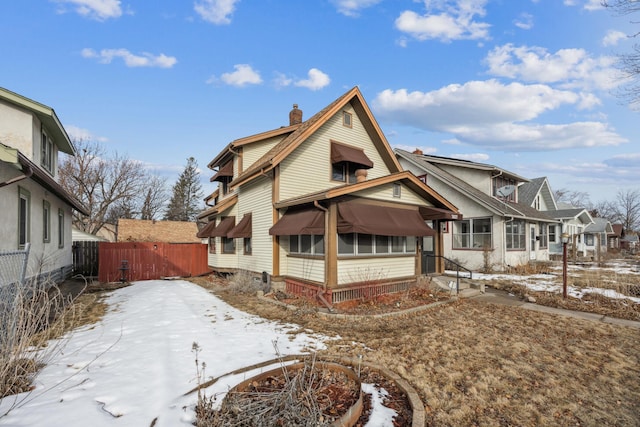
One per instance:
(381, 220)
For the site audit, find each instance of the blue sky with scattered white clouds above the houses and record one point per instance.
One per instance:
(528, 86)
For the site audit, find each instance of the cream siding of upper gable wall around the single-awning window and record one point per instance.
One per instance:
(309, 166)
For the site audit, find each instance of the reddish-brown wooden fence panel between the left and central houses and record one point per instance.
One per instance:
(130, 261)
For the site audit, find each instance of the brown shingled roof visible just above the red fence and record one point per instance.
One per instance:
(139, 230)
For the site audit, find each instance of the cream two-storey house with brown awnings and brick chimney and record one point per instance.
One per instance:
(322, 204)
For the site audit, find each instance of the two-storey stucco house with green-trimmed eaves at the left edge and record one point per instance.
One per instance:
(34, 208)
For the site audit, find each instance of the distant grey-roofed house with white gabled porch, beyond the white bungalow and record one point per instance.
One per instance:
(572, 220)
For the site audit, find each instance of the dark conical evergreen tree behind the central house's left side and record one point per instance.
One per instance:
(186, 194)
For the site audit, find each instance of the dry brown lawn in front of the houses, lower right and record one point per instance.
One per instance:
(475, 363)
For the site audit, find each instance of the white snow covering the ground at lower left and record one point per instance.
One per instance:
(137, 363)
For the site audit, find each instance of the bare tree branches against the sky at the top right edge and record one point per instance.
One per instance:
(628, 63)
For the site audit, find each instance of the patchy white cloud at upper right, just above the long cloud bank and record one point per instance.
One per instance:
(572, 68)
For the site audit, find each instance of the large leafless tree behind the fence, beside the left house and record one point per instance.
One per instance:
(111, 187)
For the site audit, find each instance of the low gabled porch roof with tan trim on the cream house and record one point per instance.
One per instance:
(405, 177)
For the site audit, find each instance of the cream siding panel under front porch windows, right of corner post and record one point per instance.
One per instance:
(374, 269)
